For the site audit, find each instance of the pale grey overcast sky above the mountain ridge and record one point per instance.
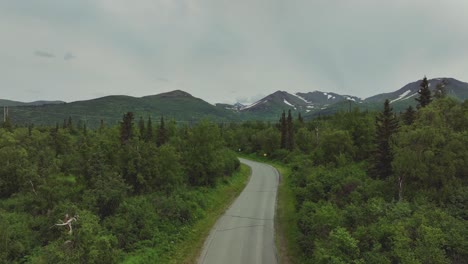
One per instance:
(225, 50)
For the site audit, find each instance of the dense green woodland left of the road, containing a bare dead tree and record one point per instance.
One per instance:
(69, 194)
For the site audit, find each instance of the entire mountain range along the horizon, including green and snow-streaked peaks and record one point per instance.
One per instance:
(184, 107)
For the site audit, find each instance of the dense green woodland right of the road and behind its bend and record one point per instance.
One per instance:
(374, 187)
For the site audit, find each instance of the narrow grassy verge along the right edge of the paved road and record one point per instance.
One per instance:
(286, 231)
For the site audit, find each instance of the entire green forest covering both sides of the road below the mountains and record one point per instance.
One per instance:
(367, 187)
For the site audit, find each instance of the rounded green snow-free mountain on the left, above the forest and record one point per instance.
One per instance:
(177, 105)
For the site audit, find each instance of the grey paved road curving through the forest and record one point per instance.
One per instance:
(245, 233)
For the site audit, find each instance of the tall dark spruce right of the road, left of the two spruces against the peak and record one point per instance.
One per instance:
(386, 124)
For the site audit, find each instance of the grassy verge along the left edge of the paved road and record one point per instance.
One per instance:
(187, 250)
